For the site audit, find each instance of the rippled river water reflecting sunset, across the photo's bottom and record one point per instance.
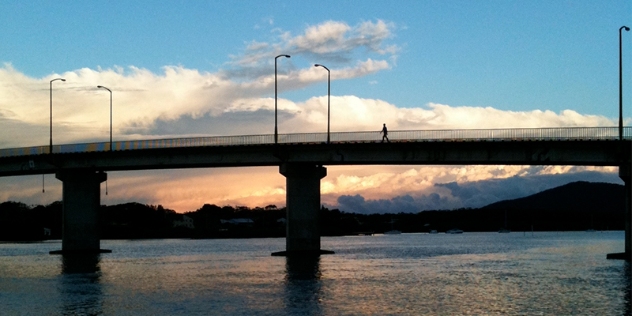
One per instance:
(408, 274)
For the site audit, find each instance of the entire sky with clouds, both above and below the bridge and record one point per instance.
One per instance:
(206, 68)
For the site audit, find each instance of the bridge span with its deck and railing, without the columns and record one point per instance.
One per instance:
(559, 146)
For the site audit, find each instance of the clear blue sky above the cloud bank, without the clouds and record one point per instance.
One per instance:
(513, 55)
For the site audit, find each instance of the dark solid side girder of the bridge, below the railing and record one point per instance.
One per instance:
(578, 153)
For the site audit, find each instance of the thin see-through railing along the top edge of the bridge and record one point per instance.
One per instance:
(516, 134)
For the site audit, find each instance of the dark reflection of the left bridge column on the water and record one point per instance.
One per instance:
(80, 288)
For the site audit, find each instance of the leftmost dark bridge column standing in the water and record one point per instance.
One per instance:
(81, 201)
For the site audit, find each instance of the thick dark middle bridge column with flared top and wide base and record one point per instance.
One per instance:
(302, 205)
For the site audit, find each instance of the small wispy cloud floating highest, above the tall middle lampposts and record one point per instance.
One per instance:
(328, 42)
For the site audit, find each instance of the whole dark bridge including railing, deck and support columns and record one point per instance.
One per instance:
(302, 158)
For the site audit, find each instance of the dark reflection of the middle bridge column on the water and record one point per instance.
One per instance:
(303, 287)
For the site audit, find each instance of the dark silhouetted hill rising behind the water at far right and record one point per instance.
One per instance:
(574, 206)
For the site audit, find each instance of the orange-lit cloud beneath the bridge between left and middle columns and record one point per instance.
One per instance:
(187, 190)
